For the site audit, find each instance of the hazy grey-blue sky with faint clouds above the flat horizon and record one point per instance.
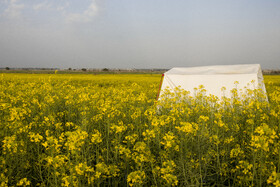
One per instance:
(139, 33)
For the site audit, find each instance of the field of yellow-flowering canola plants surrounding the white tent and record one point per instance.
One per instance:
(109, 130)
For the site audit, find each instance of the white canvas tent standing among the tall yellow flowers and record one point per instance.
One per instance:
(213, 78)
